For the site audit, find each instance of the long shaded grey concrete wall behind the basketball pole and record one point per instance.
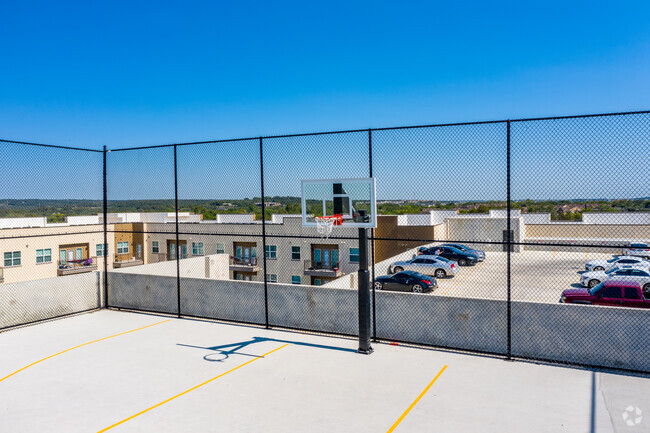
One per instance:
(608, 337)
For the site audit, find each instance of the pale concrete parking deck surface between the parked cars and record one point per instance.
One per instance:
(538, 276)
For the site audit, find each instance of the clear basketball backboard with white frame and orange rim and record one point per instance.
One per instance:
(352, 202)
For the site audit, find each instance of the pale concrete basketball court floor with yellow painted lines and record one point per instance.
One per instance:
(311, 383)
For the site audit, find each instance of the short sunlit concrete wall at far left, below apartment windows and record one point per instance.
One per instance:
(30, 301)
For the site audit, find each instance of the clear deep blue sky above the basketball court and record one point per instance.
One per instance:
(124, 74)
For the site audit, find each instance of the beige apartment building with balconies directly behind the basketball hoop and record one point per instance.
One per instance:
(294, 254)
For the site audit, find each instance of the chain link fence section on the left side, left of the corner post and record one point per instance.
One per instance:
(50, 244)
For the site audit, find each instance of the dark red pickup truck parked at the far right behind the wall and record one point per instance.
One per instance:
(612, 293)
